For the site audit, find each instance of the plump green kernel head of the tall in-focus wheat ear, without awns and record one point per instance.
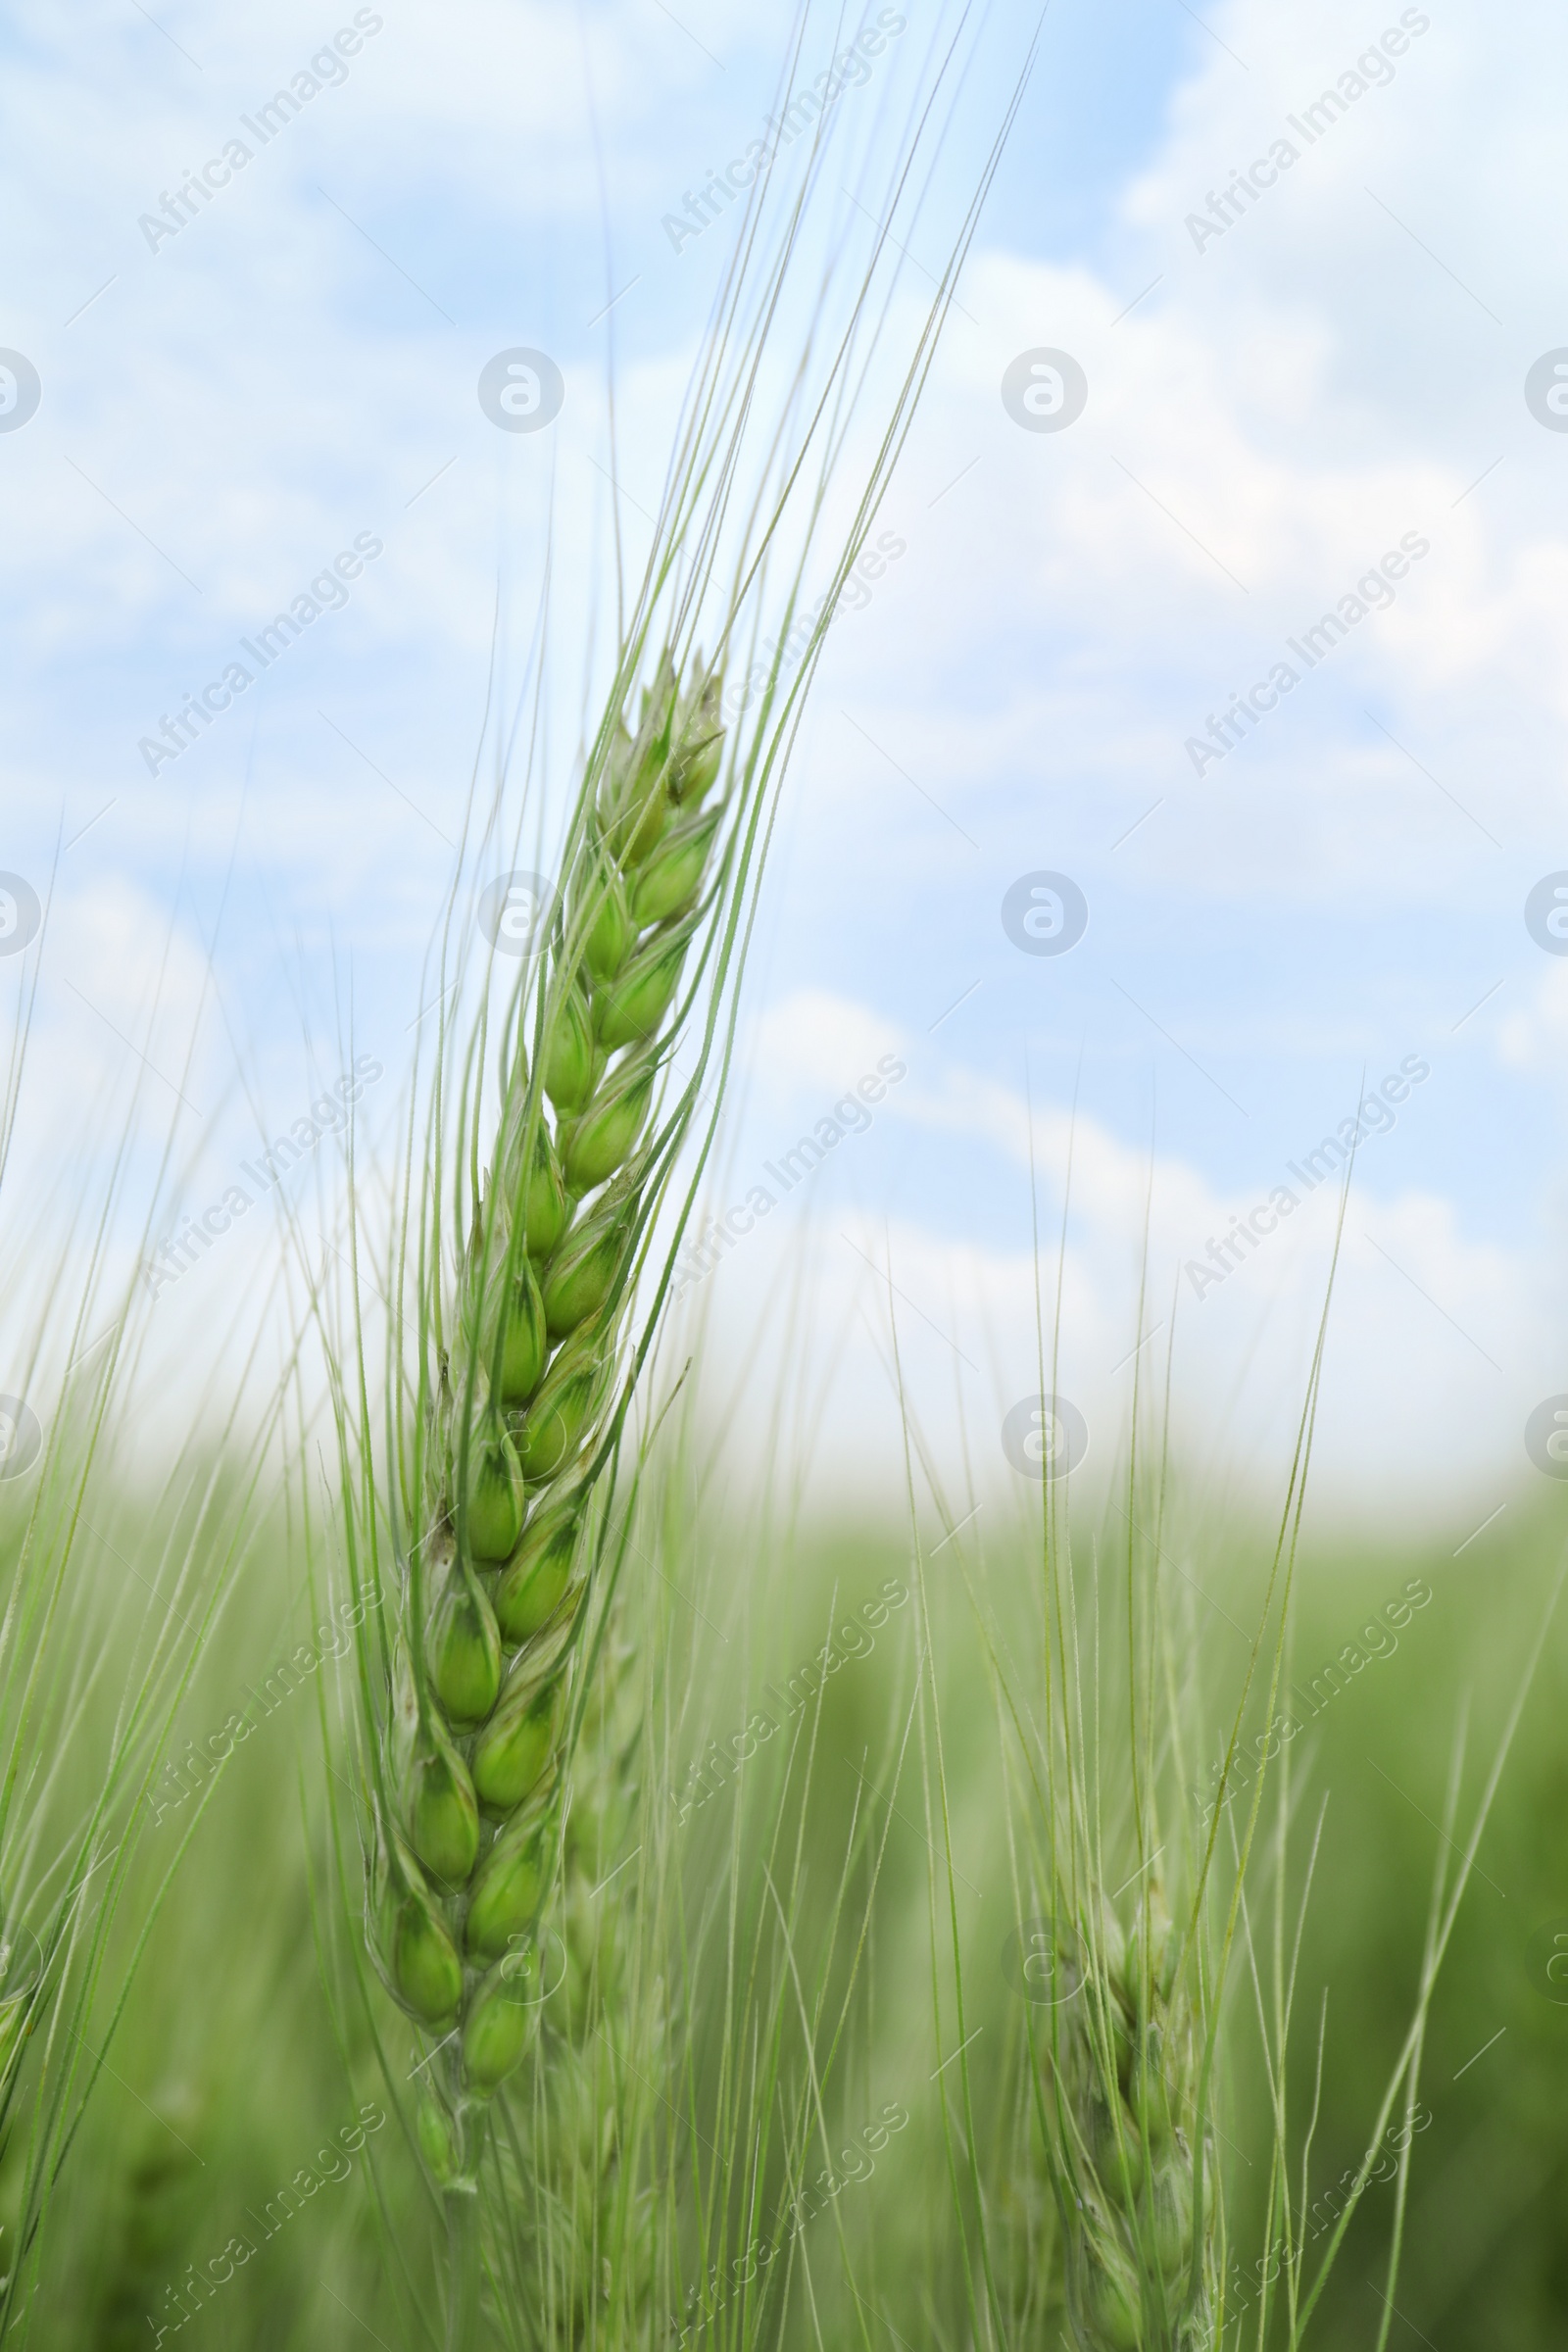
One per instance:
(474, 1732)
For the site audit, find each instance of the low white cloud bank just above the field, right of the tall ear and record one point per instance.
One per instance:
(1440, 1339)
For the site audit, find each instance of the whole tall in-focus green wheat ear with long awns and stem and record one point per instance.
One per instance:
(476, 1535)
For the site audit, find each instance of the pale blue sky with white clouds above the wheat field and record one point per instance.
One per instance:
(1318, 392)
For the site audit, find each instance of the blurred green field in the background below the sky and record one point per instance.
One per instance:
(826, 1873)
